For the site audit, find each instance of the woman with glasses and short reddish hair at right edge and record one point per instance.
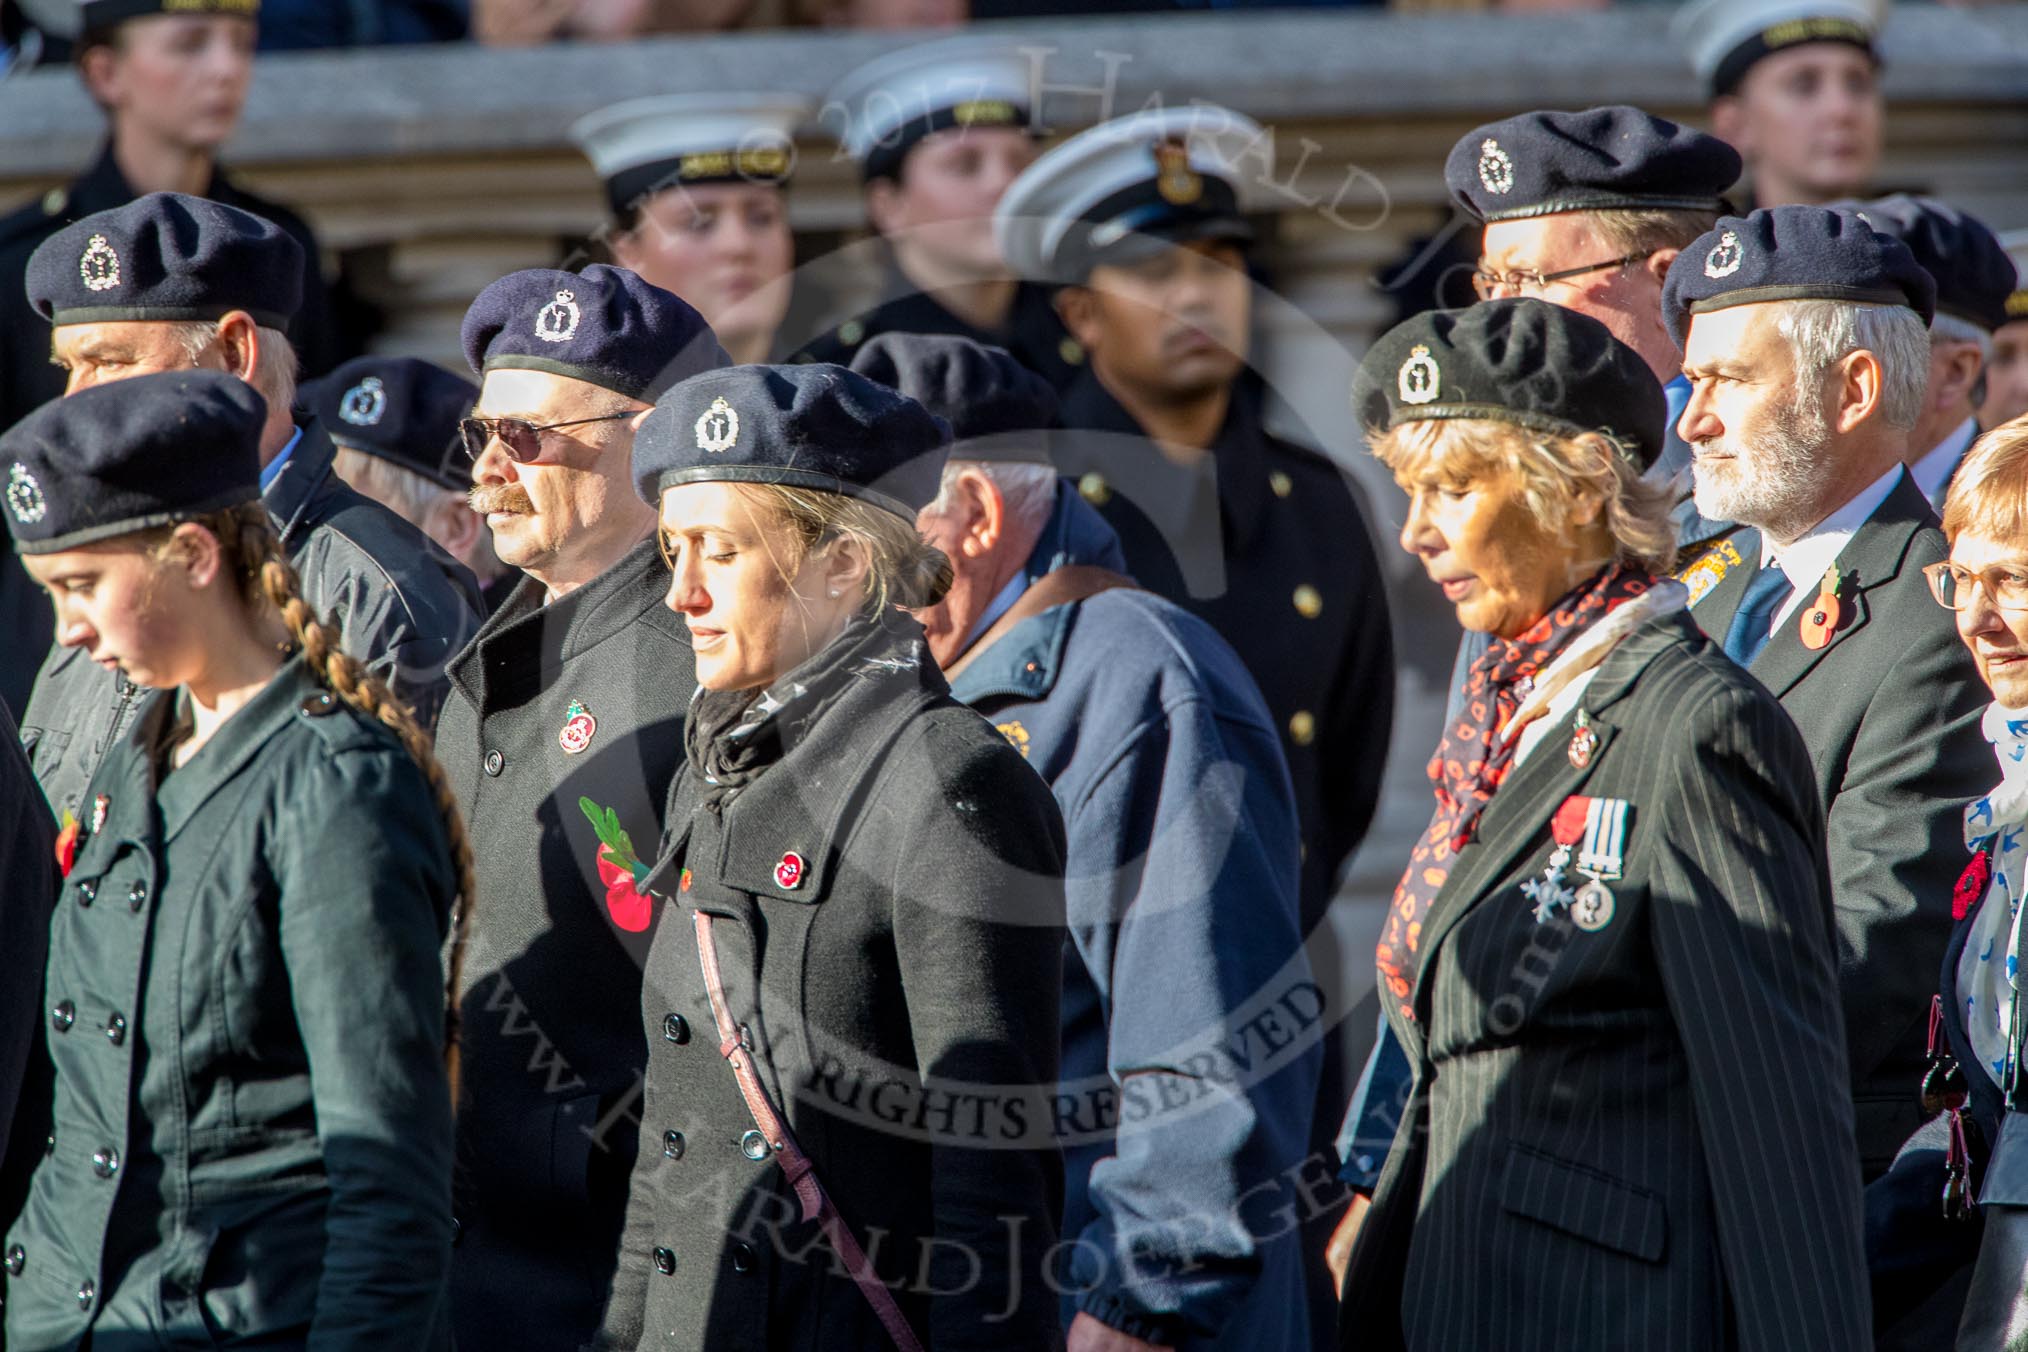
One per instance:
(1944, 1215)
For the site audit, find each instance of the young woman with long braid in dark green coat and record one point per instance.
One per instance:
(246, 1092)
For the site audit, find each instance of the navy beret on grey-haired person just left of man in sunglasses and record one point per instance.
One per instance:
(403, 410)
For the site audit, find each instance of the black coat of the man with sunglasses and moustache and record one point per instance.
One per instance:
(553, 978)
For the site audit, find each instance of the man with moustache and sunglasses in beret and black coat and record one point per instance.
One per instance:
(567, 708)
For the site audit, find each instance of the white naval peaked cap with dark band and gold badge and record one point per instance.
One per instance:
(1125, 187)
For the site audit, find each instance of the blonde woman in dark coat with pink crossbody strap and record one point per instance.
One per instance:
(853, 994)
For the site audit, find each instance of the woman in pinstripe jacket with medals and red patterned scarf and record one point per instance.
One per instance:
(1609, 962)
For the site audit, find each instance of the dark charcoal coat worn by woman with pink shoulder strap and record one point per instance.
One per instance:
(920, 944)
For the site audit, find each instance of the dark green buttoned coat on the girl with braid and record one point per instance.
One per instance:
(244, 1019)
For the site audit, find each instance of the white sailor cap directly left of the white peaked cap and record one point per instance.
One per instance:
(887, 106)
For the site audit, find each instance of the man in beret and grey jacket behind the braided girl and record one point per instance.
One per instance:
(175, 283)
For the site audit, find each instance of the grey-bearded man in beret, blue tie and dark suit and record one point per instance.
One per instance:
(1806, 340)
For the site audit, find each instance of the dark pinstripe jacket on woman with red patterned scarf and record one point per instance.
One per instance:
(1636, 1136)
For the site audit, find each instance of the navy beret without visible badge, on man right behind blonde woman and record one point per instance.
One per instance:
(997, 406)
